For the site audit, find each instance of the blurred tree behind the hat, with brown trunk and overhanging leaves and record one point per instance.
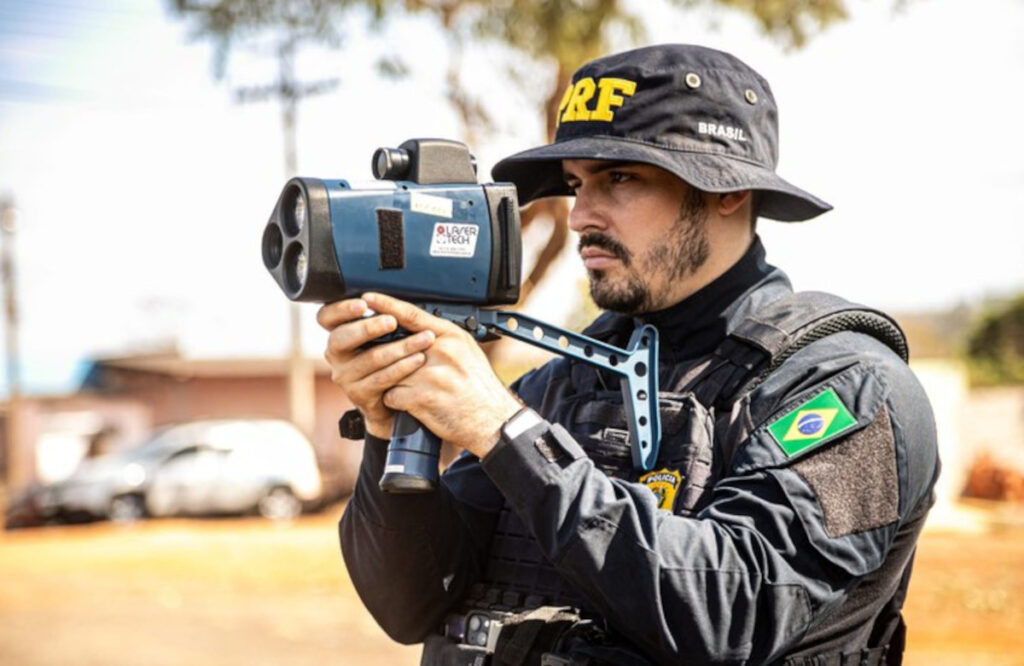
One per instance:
(557, 34)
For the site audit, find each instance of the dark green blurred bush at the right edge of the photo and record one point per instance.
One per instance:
(996, 347)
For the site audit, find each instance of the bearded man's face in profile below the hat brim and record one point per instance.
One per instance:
(643, 232)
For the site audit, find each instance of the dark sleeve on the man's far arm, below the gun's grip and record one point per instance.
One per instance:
(413, 558)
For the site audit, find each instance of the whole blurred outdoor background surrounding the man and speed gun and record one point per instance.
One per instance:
(172, 467)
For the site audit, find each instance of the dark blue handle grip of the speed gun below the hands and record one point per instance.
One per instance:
(413, 456)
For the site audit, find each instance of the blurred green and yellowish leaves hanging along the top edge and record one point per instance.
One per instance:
(566, 33)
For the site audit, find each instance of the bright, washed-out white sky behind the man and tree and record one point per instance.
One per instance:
(143, 188)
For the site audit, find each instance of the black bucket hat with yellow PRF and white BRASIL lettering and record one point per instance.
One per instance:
(696, 112)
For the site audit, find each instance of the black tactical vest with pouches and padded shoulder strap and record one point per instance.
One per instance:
(704, 415)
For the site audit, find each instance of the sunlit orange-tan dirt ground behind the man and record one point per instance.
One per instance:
(243, 592)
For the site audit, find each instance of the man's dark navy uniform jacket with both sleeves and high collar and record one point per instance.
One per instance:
(790, 556)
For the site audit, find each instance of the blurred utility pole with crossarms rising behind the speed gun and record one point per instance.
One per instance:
(302, 373)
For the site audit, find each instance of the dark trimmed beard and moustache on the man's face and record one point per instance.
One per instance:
(686, 252)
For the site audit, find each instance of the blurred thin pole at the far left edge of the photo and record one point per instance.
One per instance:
(16, 459)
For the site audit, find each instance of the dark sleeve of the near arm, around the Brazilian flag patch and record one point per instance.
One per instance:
(748, 576)
